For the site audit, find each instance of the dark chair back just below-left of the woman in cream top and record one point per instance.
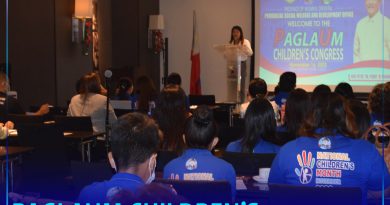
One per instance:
(68, 123)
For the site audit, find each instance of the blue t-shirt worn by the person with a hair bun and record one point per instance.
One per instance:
(200, 164)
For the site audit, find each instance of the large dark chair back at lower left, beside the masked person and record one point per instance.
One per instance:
(46, 168)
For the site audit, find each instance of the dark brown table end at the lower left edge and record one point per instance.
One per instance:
(8, 155)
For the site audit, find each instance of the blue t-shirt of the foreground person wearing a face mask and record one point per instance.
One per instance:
(100, 192)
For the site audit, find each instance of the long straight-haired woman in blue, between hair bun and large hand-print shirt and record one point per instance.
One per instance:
(260, 129)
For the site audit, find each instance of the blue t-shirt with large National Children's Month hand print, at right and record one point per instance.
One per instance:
(330, 161)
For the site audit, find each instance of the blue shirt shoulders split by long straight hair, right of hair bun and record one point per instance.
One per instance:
(260, 148)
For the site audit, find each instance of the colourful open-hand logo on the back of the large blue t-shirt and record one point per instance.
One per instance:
(306, 162)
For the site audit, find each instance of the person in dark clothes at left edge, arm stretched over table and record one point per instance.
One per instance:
(10, 105)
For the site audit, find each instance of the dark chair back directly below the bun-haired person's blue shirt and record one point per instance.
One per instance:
(201, 191)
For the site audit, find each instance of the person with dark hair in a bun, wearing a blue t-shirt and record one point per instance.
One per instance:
(197, 162)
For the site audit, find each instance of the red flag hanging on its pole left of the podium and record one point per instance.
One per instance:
(195, 88)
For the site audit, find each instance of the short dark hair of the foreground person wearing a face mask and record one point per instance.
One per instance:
(134, 138)
